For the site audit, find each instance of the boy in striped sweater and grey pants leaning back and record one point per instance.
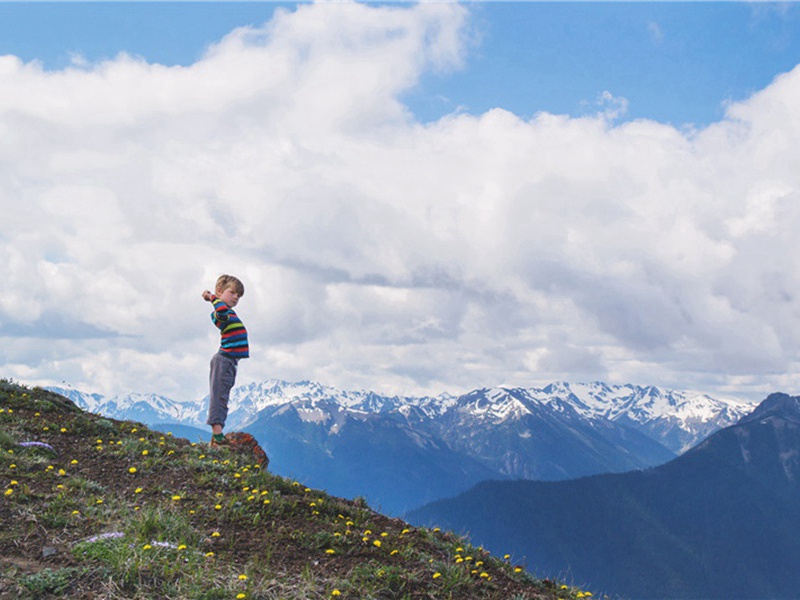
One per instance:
(233, 346)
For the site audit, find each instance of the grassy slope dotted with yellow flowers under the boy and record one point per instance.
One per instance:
(97, 508)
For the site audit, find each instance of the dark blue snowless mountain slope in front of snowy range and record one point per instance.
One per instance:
(721, 521)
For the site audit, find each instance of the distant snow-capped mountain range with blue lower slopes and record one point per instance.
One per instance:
(400, 452)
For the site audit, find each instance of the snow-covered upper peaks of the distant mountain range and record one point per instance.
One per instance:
(676, 419)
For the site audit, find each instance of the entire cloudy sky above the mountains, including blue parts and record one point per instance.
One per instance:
(419, 198)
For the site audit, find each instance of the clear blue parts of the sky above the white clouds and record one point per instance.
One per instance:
(675, 62)
